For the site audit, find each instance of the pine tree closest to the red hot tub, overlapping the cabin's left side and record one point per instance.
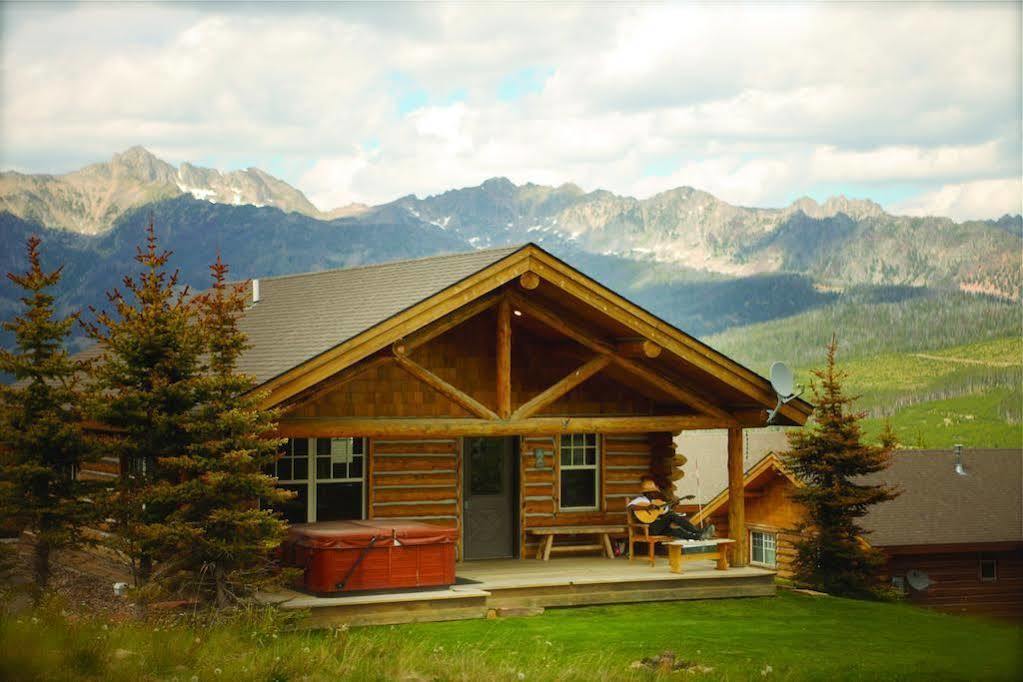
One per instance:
(218, 541)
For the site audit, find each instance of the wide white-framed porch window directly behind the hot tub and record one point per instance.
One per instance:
(327, 475)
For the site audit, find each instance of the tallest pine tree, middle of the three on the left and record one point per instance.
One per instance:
(147, 390)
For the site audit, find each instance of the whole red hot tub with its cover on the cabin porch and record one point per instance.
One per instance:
(376, 555)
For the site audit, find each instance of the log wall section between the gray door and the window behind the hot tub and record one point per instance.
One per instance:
(416, 480)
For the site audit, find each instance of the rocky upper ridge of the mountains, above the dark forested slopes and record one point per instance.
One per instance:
(838, 244)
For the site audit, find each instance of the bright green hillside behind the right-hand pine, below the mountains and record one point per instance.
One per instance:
(918, 363)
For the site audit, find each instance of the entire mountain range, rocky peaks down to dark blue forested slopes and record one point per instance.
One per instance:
(698, 262)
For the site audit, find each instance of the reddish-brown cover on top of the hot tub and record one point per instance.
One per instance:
(359, 534)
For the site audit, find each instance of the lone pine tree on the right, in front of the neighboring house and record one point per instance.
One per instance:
(830, 459)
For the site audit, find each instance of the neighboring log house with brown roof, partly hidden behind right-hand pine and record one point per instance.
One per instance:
(954, 541)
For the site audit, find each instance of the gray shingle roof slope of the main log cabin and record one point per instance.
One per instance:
(299, 317)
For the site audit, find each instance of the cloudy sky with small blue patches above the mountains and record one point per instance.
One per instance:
(917, 107)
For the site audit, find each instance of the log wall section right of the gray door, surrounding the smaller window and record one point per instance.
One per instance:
(624, 460)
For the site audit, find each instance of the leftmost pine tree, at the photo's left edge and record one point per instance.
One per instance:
(41, 436)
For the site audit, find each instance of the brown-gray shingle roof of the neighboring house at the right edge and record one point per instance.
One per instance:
(940, 507)
